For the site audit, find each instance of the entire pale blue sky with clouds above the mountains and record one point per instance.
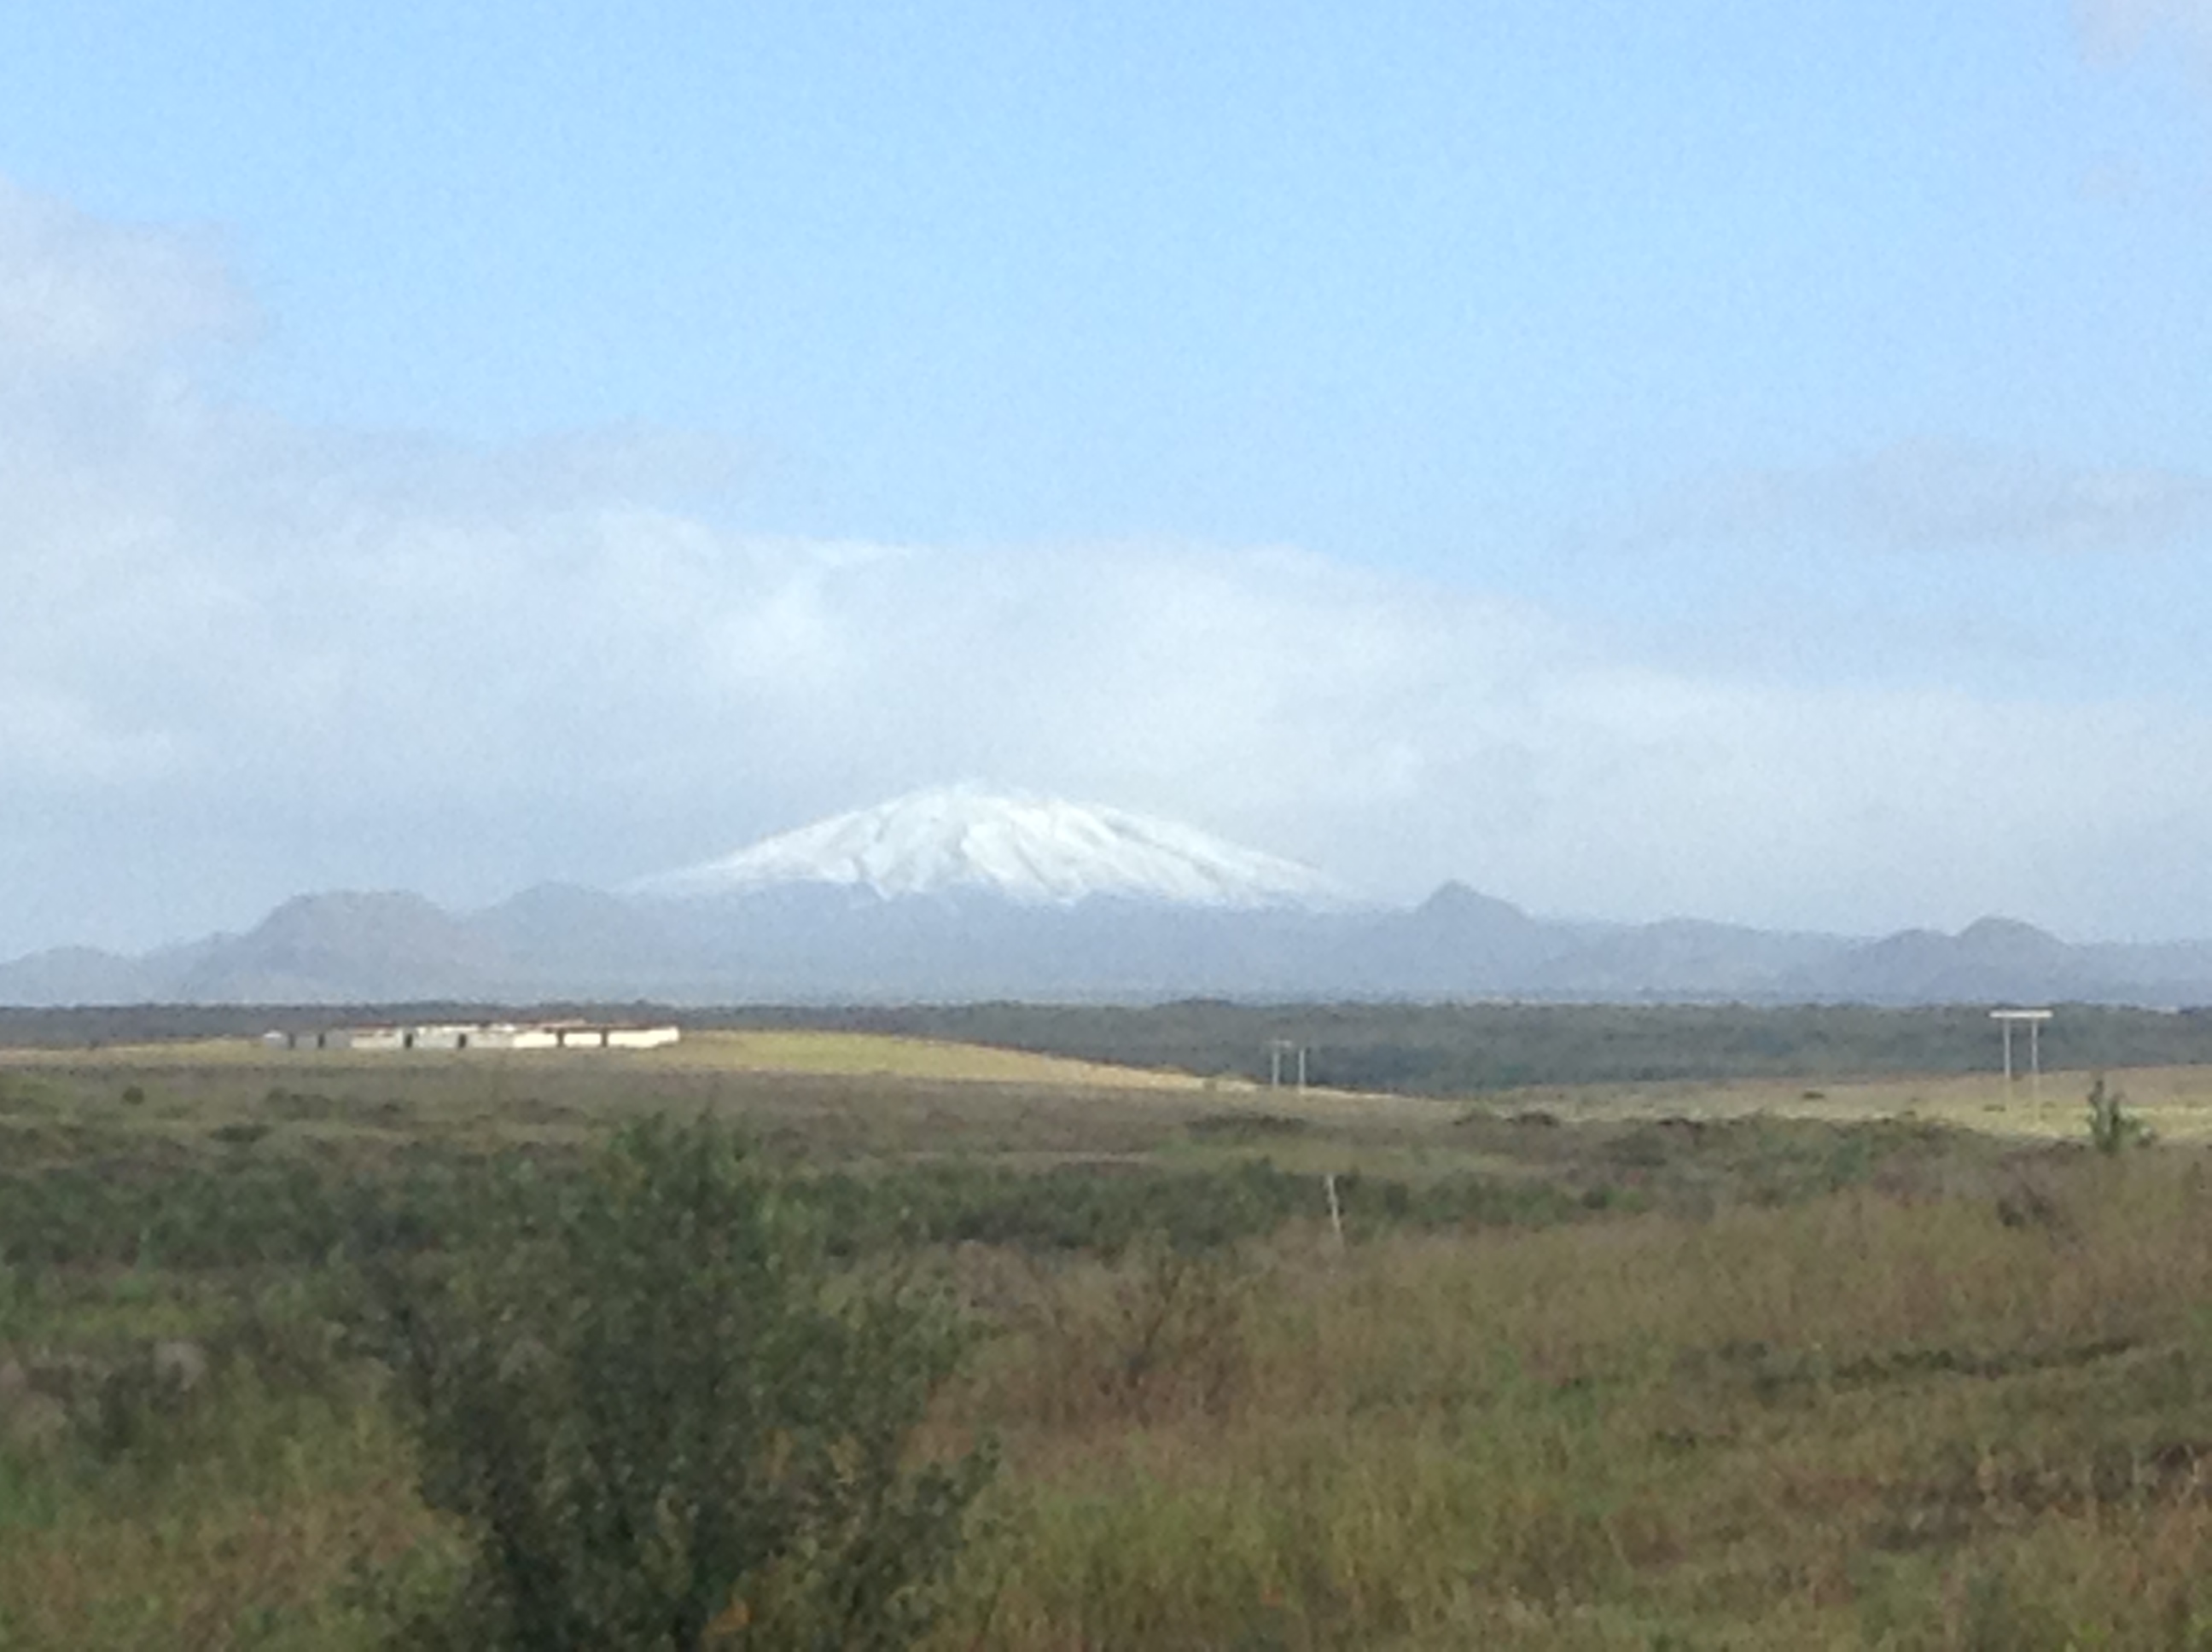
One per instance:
(1707, 430)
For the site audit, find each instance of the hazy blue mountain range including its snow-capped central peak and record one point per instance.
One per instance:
(968, 895)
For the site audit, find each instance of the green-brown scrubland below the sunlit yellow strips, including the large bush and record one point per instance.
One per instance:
(322, 1355)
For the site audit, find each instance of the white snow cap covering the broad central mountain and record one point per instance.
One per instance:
(1036, 850)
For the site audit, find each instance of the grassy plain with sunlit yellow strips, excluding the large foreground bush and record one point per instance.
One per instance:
(1760, 1363)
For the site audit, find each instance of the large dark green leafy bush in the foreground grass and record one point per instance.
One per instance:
(662, 1423)
